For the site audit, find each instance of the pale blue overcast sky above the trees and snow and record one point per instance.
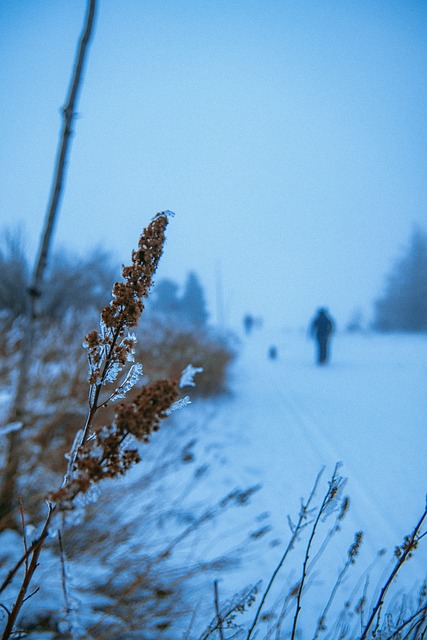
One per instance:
(289, 136)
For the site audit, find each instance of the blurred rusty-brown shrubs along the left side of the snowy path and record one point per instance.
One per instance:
(57, 390)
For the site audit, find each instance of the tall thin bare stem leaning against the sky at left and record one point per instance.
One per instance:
(8, 486)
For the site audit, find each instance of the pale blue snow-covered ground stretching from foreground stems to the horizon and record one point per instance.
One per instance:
(282, 422)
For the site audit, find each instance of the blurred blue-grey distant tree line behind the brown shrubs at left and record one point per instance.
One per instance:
(79, 283)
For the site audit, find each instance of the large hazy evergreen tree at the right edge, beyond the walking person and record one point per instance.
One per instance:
(403, 306)
